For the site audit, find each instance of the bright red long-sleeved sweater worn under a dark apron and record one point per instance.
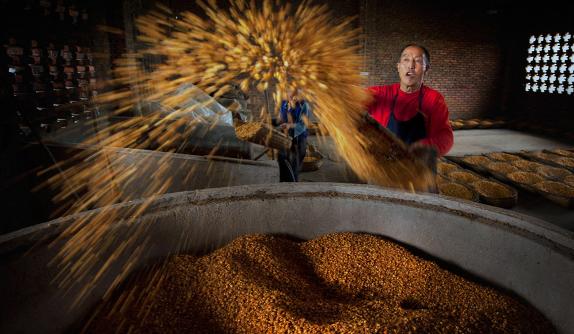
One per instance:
(439, 132)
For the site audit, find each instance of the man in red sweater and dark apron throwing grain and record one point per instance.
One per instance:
(417, 114)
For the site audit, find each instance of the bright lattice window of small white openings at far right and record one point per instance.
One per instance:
(550, 64)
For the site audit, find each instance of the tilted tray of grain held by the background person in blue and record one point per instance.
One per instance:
(263, 134)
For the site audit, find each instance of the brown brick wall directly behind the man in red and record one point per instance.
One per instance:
(466, 57)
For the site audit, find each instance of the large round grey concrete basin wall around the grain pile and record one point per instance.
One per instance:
(528, 256)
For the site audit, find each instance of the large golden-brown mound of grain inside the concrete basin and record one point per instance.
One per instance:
(338, 283)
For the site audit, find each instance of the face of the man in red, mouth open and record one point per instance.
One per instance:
(411, 67)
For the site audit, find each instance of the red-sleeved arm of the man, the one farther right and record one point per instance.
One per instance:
(439, 132)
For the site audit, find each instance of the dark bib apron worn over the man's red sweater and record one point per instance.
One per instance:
(411, 130)
